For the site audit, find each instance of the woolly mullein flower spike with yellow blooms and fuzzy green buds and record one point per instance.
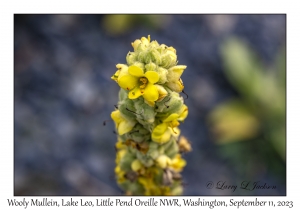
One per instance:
(147, 117)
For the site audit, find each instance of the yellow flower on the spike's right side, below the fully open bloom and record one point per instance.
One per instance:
(163, 132)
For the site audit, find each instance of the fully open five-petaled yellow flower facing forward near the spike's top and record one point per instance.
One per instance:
(139, 83)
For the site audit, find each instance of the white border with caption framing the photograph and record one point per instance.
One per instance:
(8, 8)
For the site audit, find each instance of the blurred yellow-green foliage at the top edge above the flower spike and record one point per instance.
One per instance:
(121, 23)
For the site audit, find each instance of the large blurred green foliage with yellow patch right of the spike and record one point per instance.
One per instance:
(258, 115)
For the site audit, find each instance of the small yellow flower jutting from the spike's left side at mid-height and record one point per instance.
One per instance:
(123, 125)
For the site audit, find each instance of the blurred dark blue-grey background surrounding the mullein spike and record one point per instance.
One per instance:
(235, 83)
